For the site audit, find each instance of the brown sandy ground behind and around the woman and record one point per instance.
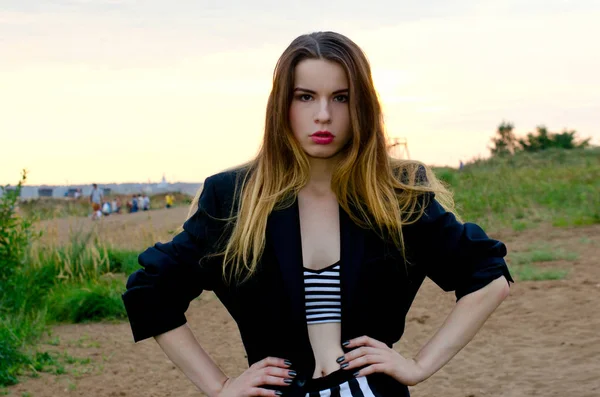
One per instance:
(544, 340)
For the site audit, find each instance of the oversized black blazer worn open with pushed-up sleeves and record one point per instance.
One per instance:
(377, 286)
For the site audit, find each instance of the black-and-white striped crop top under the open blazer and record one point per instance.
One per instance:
(322, 295)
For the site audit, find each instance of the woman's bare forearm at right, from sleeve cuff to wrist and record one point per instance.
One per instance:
(467, 317)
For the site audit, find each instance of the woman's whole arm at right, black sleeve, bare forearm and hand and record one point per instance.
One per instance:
(457, 257)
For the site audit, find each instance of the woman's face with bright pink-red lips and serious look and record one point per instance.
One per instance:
(319, 113)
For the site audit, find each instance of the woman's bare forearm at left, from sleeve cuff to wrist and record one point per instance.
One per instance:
(183, 349)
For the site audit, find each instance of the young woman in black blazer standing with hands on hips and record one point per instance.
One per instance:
(318, 246)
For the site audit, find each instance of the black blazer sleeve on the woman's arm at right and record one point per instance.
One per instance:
(457, 256)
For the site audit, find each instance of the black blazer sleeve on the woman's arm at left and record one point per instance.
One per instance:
(171, 276)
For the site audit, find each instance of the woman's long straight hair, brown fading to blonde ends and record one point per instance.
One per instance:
(377, 191)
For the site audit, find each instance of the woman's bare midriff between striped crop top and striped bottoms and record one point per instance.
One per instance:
(326, 346)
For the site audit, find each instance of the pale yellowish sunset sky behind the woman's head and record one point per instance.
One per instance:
(128, 91)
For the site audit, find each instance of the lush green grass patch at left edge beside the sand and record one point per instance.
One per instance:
(80, 283)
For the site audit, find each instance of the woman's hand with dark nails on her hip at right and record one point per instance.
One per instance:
(378, 357)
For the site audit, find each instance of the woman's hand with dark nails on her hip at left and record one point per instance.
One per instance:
(270, 371)
